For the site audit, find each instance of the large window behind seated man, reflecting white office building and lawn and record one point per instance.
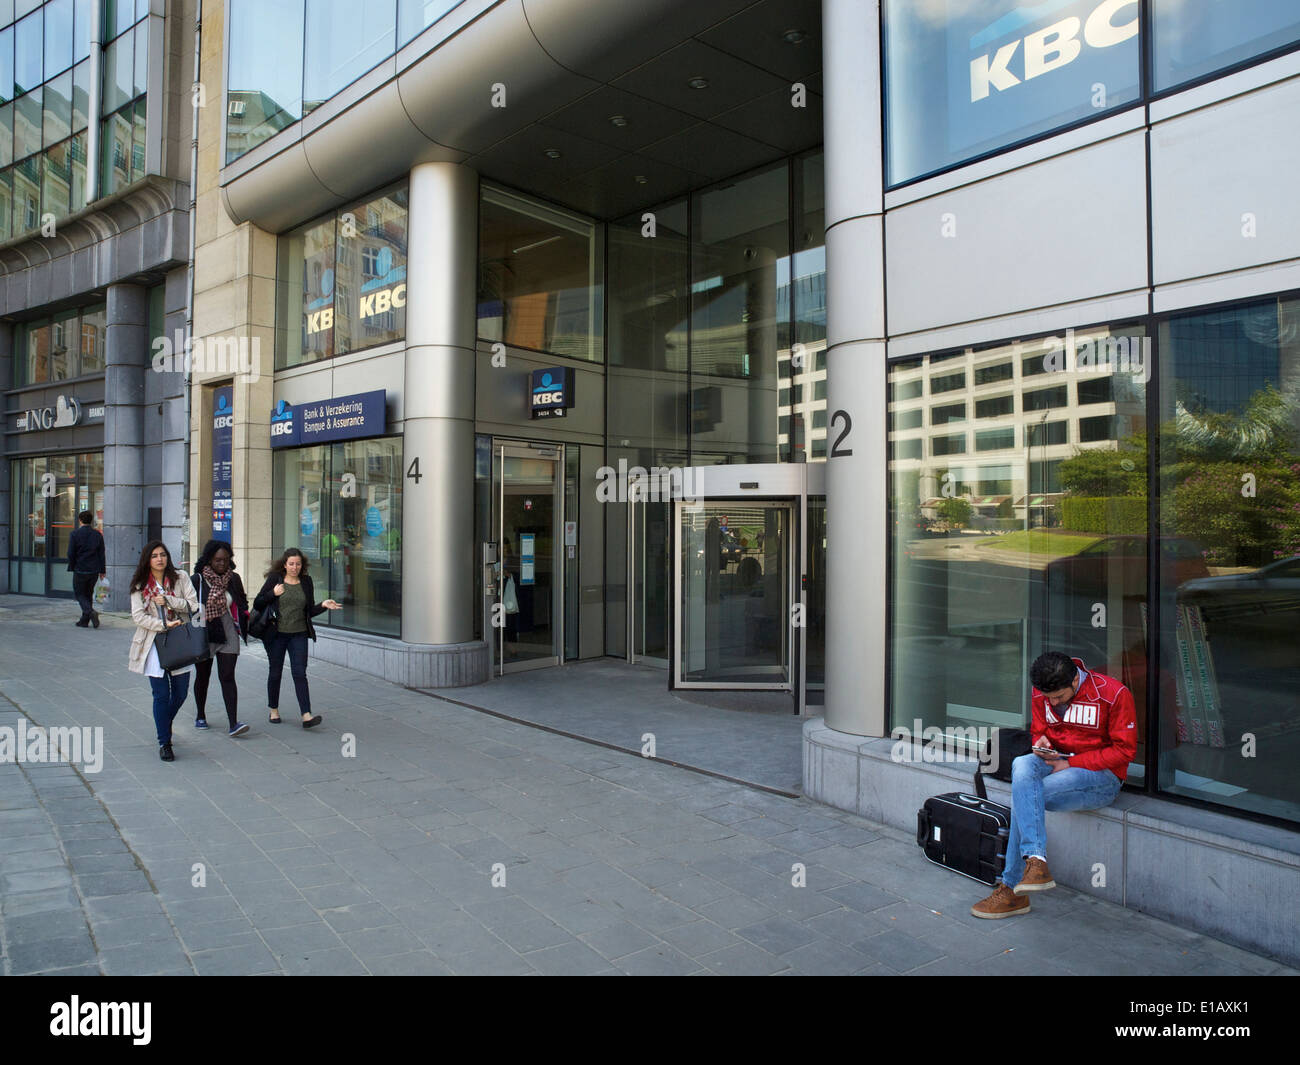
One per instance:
(1022, 508)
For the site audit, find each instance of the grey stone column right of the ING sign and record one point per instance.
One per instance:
(127, 358)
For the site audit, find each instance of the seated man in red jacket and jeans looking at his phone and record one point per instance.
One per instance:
(1085, 737)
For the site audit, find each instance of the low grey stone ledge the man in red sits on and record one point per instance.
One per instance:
(1225, 877)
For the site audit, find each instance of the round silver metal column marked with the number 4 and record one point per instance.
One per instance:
(439, 406)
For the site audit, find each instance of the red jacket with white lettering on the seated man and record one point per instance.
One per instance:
(1098, 730)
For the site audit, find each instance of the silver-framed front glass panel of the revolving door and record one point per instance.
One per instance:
(735, 590)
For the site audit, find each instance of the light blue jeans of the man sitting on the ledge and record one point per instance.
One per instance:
(1037, 790)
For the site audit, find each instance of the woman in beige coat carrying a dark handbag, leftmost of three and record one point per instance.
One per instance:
(158, 585)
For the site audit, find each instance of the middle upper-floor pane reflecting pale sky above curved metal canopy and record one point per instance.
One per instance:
(344, 41)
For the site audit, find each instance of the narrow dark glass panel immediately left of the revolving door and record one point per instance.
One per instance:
(649, 581)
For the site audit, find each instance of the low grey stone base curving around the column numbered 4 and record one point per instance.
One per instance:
(409, 665)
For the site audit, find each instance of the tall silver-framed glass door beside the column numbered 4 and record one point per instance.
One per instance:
(531, 574)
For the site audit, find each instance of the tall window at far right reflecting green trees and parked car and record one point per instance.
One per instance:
(1230, 604)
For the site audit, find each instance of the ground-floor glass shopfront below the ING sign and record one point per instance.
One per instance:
(45, 514)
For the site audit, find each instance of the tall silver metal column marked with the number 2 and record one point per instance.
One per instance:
(857, 488)
